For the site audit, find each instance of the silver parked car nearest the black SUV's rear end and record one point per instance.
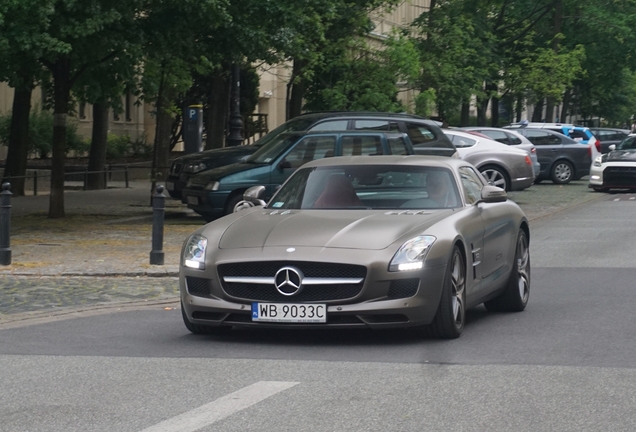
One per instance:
(509, 168)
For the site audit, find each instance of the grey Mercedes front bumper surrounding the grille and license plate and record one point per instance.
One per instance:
(377, 304)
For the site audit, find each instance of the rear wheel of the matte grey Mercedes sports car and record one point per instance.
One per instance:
(515, 297)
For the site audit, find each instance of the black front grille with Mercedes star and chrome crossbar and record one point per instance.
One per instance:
(266, 291)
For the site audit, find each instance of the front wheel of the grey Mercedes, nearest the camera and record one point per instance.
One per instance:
(450, 317)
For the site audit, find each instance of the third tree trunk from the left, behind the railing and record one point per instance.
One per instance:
(97, 154)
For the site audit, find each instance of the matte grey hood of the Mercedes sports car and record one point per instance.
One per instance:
(352, 229)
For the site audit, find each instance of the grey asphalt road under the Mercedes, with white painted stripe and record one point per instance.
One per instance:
(567, 363)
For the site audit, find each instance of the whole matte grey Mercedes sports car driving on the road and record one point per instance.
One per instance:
(362, 241)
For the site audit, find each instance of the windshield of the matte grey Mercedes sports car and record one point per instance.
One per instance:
(369, 187)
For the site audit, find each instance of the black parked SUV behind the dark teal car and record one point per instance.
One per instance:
(426, 137)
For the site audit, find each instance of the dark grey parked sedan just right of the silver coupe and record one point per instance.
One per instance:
(562, 159)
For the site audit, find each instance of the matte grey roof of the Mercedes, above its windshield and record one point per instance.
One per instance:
(433, 161)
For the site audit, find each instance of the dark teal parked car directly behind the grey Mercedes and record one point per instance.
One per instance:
(216, 192)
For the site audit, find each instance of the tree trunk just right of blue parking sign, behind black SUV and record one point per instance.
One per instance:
(218, 109)
